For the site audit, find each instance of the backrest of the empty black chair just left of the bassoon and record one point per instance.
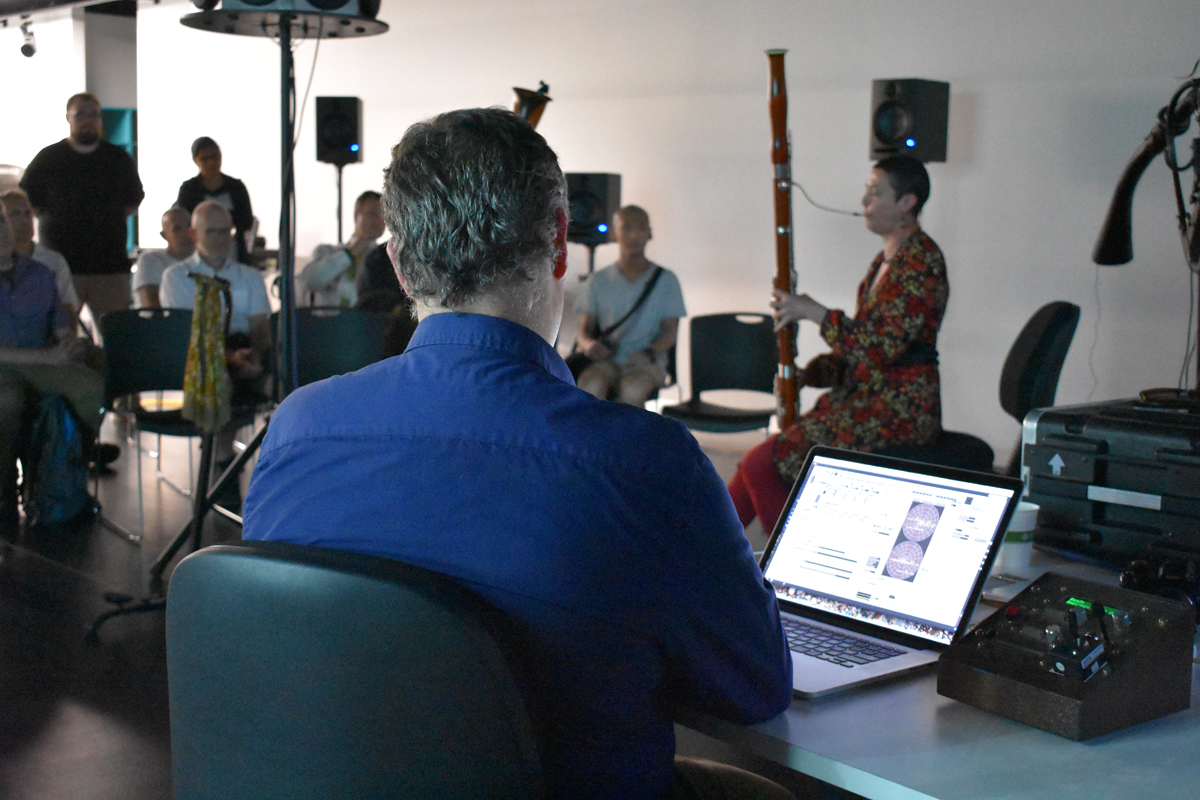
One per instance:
(736, 351)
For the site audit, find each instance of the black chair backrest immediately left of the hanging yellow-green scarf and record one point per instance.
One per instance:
(146, 351)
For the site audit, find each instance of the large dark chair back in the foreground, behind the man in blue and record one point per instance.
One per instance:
(304, 672)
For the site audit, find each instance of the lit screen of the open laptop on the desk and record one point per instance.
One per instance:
(892, 544)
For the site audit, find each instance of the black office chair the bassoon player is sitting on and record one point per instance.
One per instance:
(1029, 381)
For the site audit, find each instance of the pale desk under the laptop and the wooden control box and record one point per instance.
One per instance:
(903, 741)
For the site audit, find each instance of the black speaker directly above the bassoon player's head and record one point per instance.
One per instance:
(909, 118)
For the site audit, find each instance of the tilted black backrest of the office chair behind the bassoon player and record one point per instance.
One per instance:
(1030, 378)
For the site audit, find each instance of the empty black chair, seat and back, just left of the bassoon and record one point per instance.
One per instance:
(736, 351)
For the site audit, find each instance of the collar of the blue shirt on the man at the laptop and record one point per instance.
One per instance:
(490, 334)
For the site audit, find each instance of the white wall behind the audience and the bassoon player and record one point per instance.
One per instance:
(1049, 99)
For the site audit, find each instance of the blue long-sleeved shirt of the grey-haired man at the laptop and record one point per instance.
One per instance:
(602, 530)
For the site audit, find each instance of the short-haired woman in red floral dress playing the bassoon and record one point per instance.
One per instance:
(883, 370)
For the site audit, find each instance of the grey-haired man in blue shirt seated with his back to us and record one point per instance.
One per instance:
(601, 530)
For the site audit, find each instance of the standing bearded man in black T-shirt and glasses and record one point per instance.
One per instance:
(82, 190)
